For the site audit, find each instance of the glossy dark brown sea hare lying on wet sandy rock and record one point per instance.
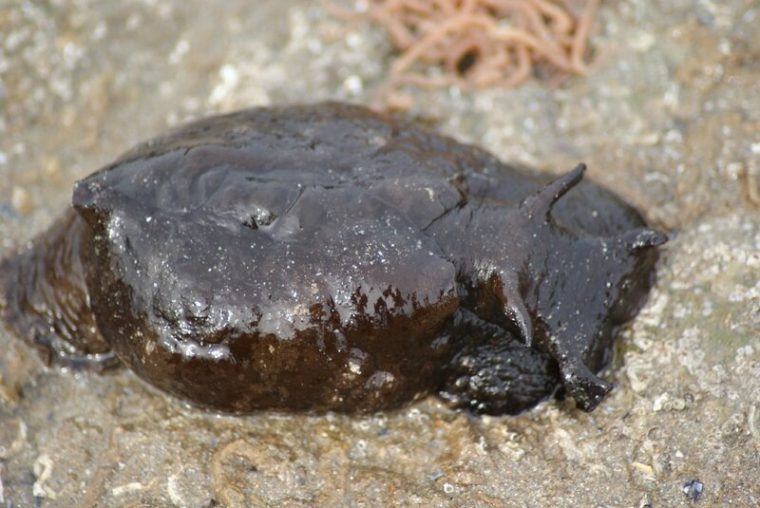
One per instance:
(325, 257)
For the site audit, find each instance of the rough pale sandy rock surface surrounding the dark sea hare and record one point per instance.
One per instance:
(669, 117)
